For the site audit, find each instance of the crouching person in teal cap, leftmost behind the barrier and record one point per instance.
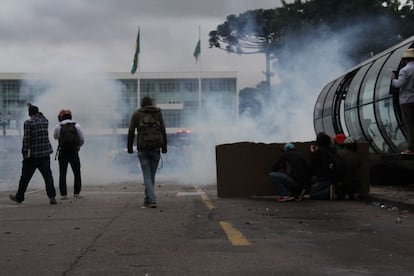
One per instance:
(289, 174)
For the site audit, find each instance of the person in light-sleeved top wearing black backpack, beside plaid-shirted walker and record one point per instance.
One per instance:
(70, 136)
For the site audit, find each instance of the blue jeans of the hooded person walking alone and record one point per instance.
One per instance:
(149, 160)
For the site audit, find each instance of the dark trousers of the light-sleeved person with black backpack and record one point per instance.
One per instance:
(71, 158)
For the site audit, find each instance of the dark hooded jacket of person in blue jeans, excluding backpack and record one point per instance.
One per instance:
(135, 124)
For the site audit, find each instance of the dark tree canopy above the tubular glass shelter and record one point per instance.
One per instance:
(267, 31)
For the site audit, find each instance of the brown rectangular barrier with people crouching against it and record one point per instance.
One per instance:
(243, 168)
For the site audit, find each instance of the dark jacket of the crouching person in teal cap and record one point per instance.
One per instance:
(293, 164)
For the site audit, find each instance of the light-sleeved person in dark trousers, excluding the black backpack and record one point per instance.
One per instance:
(69, 157)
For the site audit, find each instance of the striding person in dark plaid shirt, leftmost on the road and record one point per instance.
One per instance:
(36, 152)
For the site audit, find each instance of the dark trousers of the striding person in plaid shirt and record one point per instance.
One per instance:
(28, 168)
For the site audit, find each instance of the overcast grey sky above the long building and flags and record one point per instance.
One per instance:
(41, 35)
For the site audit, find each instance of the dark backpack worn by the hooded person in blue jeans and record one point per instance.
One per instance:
(149, 132)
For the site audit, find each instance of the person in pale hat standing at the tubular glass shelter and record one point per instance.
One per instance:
(405, 82)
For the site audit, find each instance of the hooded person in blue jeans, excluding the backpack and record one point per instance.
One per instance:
(148, 157)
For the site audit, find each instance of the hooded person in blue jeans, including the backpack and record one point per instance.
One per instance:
(151, 137)
